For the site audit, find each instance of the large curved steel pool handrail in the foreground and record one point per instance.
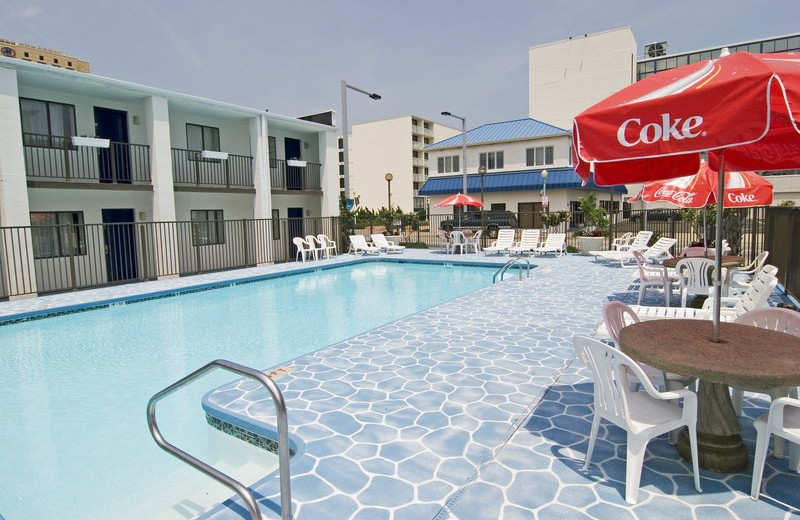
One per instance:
(235, 485)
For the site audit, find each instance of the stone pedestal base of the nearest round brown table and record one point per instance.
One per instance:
(719, 445)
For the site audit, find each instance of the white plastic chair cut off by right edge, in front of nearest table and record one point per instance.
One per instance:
(782, 420)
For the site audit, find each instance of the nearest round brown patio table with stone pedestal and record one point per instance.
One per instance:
(745, 356)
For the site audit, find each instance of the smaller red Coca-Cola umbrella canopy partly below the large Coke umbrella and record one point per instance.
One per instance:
(742, 190)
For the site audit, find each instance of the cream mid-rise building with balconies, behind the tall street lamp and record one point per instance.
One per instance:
(395, 146)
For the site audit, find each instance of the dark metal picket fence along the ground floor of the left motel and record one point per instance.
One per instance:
(53, 258)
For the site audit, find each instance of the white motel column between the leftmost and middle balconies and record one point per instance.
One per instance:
(165, 231)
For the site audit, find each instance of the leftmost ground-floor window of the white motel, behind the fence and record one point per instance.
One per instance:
(53, 237)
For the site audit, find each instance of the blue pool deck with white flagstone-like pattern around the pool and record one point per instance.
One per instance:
(474, 409)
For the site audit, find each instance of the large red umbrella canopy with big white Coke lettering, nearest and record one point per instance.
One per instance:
(746, 105)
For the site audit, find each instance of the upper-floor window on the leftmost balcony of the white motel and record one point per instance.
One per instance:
(47, 124)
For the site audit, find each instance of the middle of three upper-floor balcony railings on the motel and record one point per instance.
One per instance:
(191, 169)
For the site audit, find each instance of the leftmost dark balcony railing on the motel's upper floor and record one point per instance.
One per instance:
(50, 157)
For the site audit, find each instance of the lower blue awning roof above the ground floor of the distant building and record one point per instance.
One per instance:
(557, 178)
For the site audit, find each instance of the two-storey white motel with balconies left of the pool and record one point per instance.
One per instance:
(78, 149)
